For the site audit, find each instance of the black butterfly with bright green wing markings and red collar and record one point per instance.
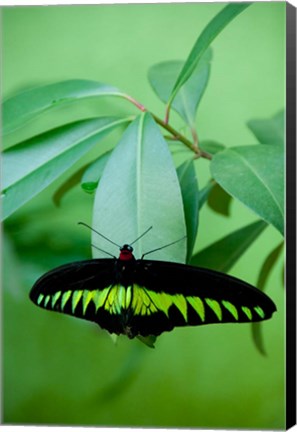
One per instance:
(140, 297)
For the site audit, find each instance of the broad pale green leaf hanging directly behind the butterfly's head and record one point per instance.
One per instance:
(139, 188)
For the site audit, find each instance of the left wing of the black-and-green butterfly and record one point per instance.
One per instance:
(80, 289)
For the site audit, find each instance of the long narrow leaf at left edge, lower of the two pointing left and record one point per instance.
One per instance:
(32, 165)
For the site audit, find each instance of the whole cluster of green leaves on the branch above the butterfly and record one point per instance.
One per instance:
(139, 186)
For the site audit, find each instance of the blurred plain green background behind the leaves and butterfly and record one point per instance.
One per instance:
(61, 370)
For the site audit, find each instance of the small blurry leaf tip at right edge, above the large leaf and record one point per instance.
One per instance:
(269, 131)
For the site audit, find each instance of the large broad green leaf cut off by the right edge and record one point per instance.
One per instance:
(255, 176)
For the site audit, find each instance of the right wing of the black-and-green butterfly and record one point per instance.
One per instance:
(167, 295)
